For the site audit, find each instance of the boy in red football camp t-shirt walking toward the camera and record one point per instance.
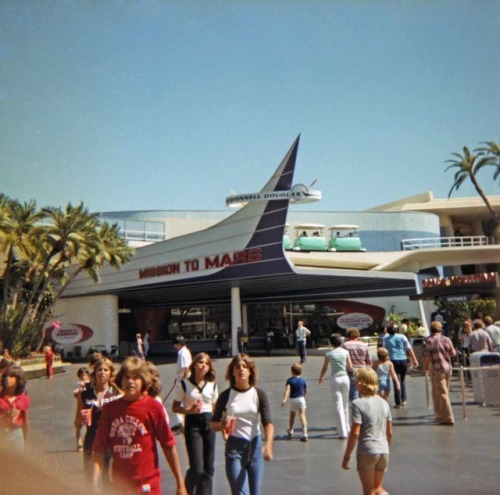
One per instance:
(129, 427)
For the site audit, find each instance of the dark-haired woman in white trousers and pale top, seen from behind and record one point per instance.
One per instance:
(340, 363)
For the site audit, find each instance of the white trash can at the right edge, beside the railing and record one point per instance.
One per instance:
(486, 377)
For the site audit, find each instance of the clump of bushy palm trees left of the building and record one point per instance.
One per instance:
(41, 260)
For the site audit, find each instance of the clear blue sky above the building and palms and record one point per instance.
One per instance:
(135, 105)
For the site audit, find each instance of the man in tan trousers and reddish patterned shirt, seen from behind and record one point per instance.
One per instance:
(439, 352)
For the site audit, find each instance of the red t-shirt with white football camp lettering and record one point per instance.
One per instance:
(130, 431)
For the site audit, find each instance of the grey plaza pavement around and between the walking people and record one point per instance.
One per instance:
(425, 458)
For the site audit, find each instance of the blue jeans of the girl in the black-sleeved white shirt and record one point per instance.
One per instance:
(244, 465)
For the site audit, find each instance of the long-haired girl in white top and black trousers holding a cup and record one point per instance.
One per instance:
(196, 397)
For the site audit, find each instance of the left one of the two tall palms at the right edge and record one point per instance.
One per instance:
(468, 166)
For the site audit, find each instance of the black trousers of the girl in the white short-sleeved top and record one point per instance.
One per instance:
(200, 446)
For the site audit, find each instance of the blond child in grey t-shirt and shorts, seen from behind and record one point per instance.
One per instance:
(371, 429)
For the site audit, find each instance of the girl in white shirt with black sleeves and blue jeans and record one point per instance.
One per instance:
(239, 412)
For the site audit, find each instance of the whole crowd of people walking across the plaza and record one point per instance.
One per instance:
(124, 416)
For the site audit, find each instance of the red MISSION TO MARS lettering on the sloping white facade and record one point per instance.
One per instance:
(205, 263)
